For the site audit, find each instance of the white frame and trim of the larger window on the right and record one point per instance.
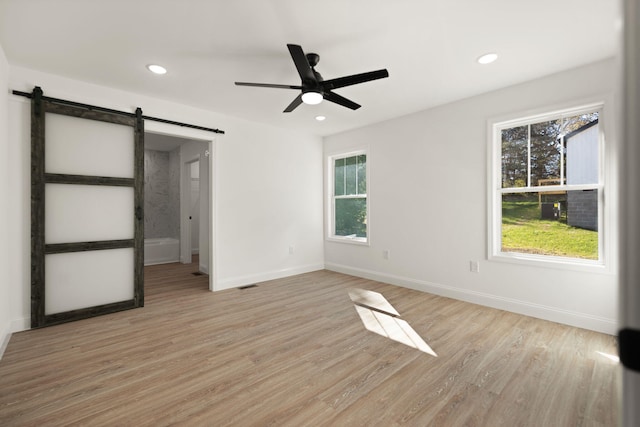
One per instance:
(496, 191)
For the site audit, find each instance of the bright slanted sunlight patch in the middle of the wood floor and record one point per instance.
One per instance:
(380, 317)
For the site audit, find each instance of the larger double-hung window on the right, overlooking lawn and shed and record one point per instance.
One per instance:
(547, 188)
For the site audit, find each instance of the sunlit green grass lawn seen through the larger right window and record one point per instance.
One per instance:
(523, 231)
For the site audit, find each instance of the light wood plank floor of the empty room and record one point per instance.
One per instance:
(294, 352)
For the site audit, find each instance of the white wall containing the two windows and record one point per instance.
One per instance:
(428, 198)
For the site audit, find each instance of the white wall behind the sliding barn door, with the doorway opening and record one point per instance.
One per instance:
(267, 182)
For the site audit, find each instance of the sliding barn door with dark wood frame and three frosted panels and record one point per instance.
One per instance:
(87, 231)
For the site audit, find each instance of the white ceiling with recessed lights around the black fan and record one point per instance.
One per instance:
(428, 46)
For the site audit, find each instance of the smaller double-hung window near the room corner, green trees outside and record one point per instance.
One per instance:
(349, 197)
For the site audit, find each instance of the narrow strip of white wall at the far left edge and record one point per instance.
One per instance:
(5, 282)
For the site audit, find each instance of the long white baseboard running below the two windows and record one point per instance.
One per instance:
(554, 314)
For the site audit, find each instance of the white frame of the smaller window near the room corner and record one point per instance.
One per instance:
(331, 228)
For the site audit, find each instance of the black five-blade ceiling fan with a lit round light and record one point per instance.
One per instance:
(313, 87)
